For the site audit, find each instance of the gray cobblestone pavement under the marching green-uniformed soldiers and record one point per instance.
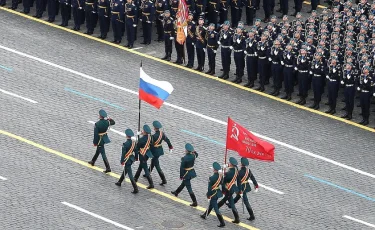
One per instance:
(38, 182)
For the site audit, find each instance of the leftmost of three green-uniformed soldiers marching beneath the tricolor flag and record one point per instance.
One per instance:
(127, 159)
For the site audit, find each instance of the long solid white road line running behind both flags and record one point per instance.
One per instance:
(190, 112)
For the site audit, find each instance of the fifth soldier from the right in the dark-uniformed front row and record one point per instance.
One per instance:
(302, 66)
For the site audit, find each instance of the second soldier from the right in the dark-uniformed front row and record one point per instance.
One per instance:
(349, 79)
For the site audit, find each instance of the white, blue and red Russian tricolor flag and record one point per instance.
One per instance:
(153, 91)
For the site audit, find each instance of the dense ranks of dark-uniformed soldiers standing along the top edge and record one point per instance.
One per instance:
(322, 53)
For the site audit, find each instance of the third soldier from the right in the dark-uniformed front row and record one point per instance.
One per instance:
(334, 77)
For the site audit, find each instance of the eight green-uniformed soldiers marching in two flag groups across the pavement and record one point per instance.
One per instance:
(227, 180)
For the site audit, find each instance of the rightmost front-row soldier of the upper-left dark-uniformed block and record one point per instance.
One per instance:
(131, 22)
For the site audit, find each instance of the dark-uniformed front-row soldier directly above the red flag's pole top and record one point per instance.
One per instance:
(226, 41)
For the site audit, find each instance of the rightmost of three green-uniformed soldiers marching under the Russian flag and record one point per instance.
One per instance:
(157, 149)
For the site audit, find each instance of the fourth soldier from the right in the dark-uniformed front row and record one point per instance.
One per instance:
(317, 72)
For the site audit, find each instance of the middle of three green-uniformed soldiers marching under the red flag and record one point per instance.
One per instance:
(230, 182)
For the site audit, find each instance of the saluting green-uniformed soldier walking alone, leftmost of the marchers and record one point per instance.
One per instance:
(101, 138)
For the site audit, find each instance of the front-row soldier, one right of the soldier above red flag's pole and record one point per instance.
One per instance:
(239, 45)
